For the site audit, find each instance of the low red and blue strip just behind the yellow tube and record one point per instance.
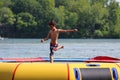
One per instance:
(106, 59)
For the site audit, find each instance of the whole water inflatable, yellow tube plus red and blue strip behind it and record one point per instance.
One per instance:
(97, 68)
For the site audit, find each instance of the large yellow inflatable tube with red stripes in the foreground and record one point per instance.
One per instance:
(59, 71)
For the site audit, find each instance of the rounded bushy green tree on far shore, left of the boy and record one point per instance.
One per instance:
(26, 24)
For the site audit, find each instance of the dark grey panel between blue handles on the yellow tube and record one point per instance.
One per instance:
(95, 74)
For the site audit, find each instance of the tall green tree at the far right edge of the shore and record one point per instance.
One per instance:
(113, 18)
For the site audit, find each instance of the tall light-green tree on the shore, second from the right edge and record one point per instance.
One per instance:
(98, 21)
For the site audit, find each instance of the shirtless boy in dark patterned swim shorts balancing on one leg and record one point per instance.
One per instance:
(53, 35)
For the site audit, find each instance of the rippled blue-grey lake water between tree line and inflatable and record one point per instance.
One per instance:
(73, 48)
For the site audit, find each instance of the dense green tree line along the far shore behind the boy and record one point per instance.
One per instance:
(30, 18)
